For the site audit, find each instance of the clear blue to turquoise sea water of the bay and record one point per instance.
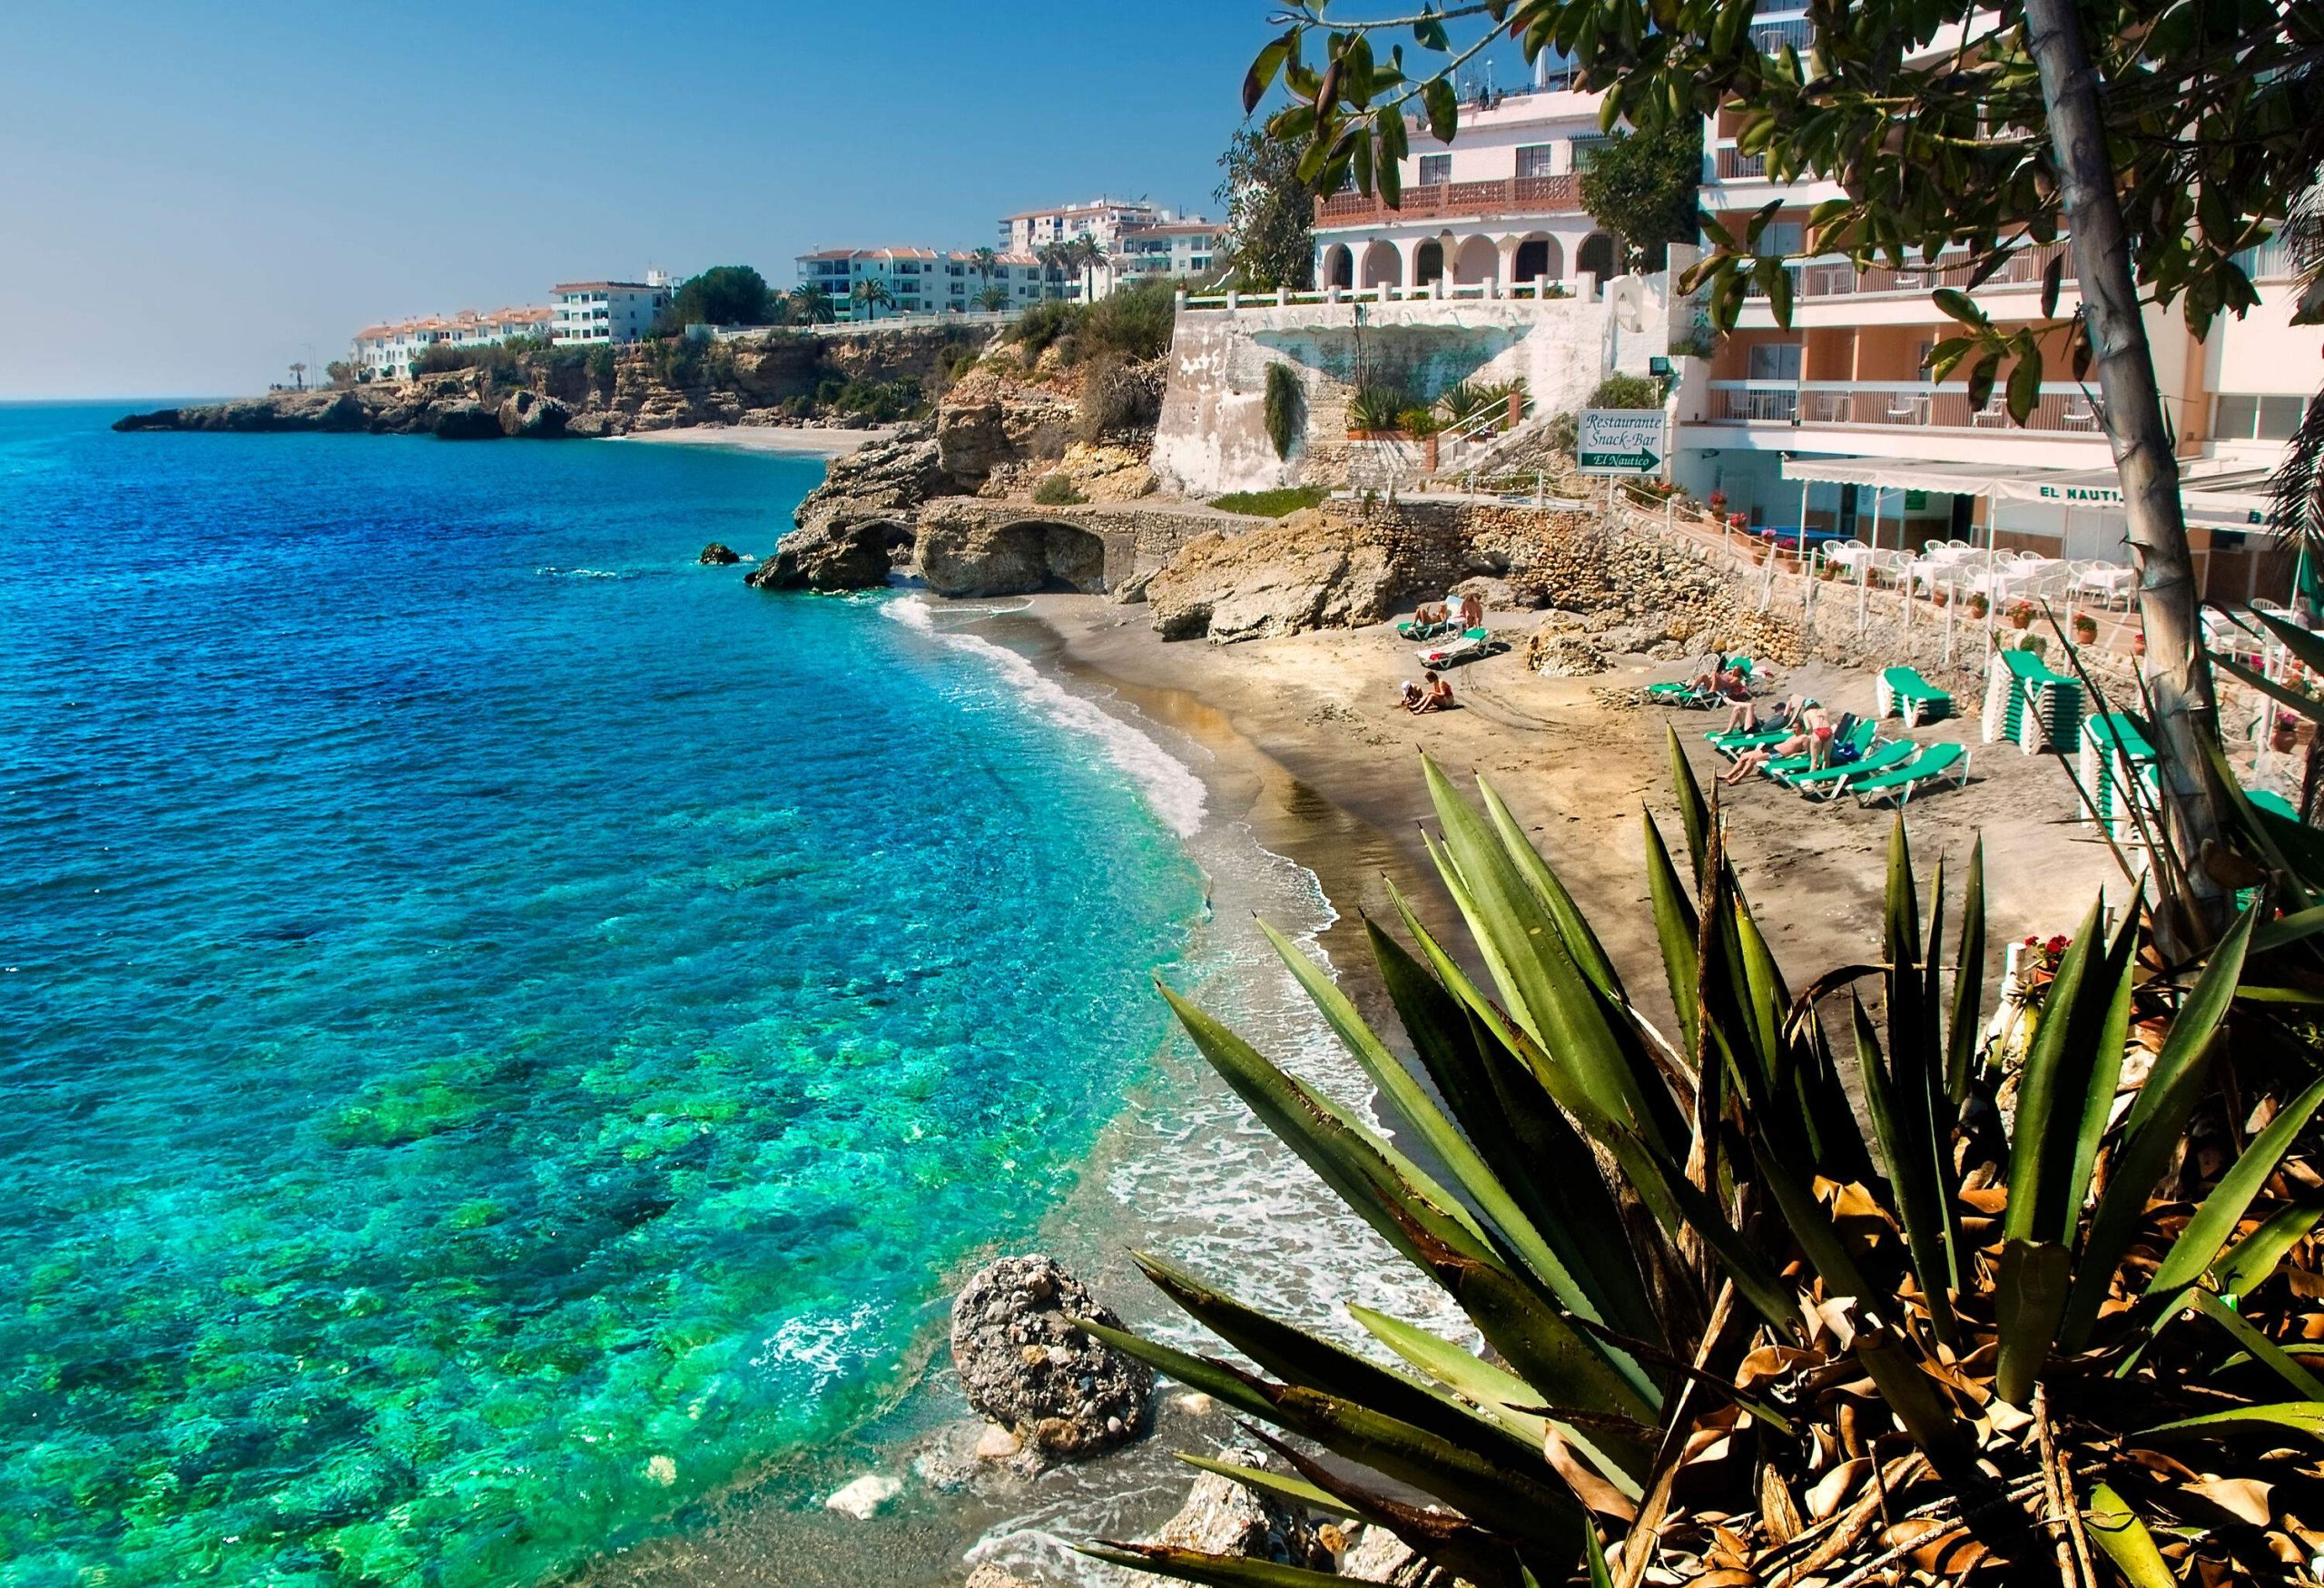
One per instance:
(501, 1029)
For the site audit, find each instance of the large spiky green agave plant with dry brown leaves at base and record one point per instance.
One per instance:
(2007, 1324)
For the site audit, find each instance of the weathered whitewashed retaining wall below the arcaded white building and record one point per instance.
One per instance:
(1214, 429)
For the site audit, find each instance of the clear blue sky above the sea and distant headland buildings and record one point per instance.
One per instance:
(194, 194)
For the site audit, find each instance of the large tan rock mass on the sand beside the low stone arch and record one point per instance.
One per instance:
(1282, 580)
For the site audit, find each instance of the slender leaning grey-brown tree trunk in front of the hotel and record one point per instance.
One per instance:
(2176, 664)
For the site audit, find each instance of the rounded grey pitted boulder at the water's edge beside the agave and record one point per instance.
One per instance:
(1024, 1361)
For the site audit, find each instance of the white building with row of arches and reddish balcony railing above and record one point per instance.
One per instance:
(1498, 208)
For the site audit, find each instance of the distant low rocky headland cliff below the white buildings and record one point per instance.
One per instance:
(780, 378)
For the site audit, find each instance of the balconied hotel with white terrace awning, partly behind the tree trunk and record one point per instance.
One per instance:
(1832, 422)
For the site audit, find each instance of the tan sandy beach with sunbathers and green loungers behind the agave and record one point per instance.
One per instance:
(1579, 771)
